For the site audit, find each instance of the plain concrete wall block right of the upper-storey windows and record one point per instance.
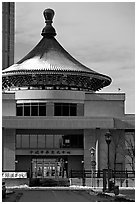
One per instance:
(104, 105)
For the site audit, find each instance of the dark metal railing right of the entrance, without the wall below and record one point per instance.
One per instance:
(99, 174)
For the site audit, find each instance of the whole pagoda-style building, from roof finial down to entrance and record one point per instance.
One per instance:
(52, 115)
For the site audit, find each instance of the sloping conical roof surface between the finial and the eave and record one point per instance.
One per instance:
(54, 46)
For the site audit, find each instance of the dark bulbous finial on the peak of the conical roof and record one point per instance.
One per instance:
(48, 31)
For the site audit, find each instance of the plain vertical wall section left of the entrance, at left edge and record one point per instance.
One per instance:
(8, 136)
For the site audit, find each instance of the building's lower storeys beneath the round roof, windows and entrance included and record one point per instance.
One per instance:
(51, 132)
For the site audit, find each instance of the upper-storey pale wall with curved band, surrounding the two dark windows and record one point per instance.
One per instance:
(89, 104)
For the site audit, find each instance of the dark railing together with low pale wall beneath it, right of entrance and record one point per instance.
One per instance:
(95, 178)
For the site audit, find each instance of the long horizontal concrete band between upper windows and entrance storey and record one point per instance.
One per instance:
(57, 122)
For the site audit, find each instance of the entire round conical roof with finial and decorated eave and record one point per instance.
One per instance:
(50, 66)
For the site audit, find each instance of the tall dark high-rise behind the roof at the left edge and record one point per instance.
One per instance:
(7, 34)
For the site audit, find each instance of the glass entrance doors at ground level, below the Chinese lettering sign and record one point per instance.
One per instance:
(43, 168)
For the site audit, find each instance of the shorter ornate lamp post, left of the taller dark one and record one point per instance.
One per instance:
(93, 164)
